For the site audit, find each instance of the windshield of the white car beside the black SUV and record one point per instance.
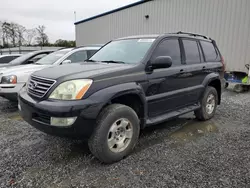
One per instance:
(53, 57)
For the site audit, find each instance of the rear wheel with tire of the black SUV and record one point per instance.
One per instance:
(208, 104)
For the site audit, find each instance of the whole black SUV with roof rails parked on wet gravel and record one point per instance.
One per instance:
(129, 84)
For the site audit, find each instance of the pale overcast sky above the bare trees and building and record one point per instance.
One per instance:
(56, 15)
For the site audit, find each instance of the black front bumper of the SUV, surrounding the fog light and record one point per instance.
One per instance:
(38, 113)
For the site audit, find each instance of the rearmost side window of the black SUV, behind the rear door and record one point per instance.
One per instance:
(209, 51)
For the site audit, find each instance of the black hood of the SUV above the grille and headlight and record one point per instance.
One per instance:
(82, 70)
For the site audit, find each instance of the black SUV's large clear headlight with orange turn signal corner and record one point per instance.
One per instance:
(71, 90)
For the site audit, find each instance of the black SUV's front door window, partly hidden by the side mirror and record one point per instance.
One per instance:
(169, 47)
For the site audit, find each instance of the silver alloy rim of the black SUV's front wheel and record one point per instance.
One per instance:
(120, 135)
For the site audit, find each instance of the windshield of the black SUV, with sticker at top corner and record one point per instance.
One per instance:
(125, 51)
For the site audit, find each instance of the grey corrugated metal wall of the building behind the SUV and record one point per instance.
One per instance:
(227, 21)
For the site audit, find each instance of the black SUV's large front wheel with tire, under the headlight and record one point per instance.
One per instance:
(116, 133)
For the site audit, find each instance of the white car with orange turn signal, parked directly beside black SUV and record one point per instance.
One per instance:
(14, 78)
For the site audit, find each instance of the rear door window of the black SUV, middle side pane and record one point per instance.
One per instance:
(191, 51)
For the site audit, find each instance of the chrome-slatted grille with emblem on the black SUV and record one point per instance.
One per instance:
(38, 87)
